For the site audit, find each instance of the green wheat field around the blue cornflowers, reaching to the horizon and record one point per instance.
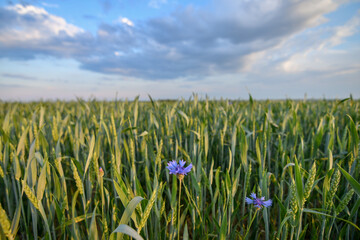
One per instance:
(97, 170)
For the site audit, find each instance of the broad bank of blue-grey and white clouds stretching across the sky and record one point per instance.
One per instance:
(226, 37)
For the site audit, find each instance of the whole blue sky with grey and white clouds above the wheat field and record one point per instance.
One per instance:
(171, 49)
